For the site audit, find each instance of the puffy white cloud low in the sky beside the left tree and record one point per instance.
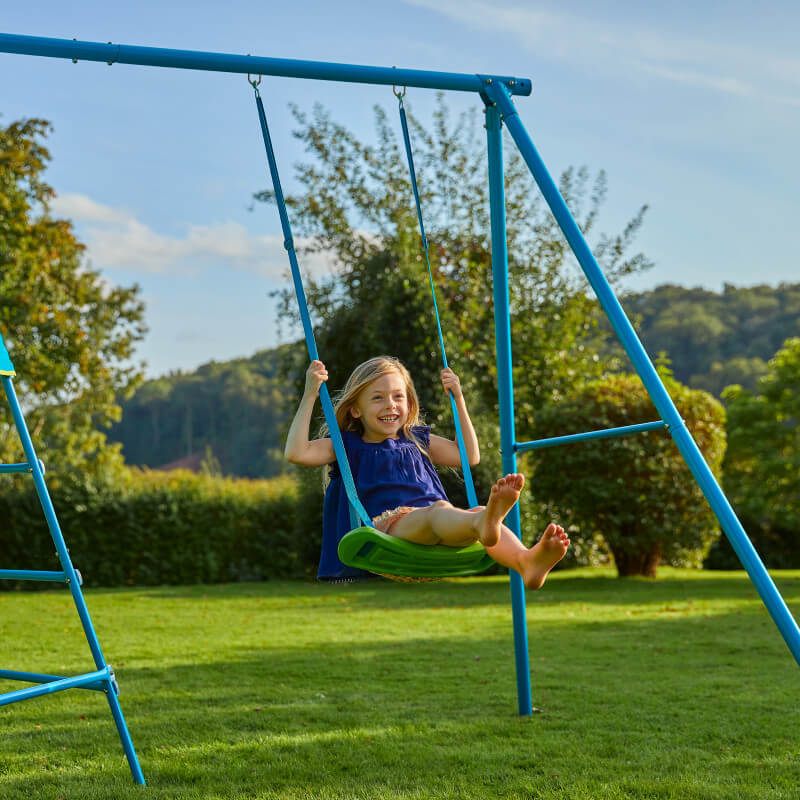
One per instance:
(116, 239)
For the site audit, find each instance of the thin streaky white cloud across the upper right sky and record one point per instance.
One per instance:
(601, 42)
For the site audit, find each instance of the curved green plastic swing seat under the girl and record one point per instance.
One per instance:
(369, 549)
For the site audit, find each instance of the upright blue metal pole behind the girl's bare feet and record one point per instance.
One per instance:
(505, 389)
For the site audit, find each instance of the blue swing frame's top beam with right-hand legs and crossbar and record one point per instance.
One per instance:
(497, 94)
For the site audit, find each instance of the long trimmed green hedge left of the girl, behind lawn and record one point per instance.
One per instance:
(160, 528)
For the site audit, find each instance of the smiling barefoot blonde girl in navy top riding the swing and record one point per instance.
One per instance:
(391, 457)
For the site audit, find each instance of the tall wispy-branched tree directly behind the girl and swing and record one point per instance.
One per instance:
(355, 203)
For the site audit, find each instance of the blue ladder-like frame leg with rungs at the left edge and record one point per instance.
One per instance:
(102, 678)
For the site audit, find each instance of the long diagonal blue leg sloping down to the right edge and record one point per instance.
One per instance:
(647, 372)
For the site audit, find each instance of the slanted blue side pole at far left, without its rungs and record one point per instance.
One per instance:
(72, 578)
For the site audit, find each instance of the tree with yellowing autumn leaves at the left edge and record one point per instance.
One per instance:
(69, 334)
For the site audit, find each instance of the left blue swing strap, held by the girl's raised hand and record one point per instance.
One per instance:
(358, 514)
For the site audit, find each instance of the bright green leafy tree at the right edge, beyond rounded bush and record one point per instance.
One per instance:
(762, 466)
